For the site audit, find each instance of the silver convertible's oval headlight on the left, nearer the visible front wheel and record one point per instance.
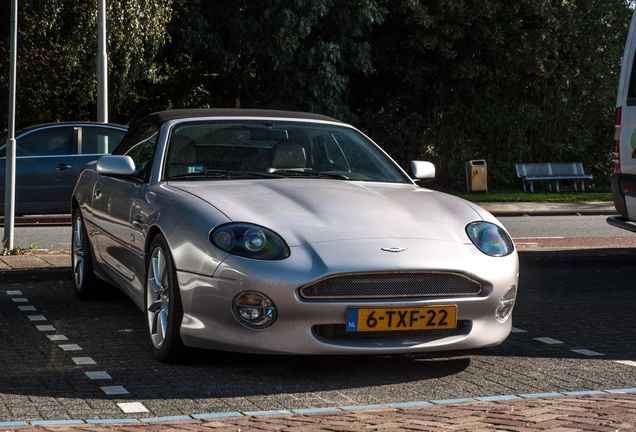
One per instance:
(249, 241)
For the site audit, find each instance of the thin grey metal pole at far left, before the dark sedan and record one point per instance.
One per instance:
(9, 190)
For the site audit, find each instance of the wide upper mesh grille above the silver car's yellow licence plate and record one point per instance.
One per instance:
(379, 285)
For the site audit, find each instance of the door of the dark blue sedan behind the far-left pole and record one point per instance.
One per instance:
(43, 182)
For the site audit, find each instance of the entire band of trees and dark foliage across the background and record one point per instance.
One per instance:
(441, 80)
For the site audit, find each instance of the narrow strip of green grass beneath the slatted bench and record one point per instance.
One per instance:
(596, 195)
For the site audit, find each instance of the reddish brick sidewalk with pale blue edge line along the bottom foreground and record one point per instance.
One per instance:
(593, 411)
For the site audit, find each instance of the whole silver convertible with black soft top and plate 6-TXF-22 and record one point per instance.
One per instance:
(286, 233)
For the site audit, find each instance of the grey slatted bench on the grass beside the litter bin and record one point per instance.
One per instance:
(556, 172)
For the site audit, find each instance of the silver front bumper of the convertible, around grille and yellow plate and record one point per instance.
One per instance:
(209, 321)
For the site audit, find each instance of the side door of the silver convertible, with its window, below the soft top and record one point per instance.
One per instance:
(113, 199)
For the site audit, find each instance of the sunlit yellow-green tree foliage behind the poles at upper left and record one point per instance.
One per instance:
(57, 46)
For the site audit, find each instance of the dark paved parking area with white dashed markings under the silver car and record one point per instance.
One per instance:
(574, 323)
